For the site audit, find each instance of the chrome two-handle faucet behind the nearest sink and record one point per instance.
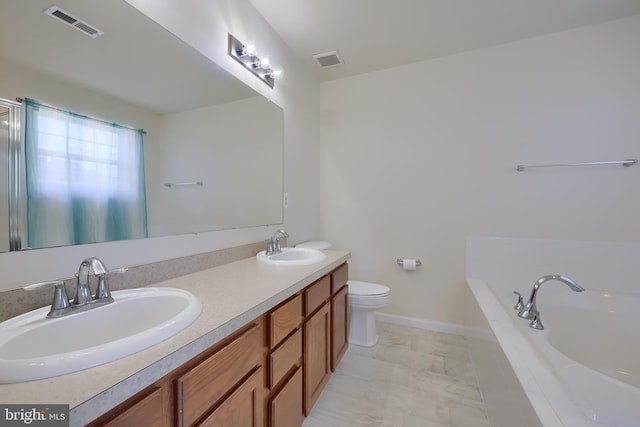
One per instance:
(83, 299)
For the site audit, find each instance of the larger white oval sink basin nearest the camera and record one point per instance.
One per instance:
(33, 347)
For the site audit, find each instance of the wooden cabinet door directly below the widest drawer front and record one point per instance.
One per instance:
(243, 408)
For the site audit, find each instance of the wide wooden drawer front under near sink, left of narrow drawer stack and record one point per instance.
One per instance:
(203, 386)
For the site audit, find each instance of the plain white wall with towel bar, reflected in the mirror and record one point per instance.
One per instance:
(236, 150)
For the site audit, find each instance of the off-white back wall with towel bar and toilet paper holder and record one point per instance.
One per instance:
(416, 158)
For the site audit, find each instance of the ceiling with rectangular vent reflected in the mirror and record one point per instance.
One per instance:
(130, 61)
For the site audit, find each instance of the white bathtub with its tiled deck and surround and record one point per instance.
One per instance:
(583, 369)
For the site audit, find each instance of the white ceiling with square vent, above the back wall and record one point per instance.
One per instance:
(377, 34)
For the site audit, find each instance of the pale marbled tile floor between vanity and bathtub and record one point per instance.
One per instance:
(412, 378)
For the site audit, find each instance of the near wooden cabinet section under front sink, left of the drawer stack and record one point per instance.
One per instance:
(223, 386)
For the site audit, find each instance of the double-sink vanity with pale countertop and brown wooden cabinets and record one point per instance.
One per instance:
(268, 332)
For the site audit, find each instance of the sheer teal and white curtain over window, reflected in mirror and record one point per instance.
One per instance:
(85, 179)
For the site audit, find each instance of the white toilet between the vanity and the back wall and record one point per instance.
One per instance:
(364, 299)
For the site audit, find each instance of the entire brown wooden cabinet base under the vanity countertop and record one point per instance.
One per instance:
(270, 372)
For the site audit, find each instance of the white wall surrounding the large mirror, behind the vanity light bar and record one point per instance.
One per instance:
(205, 25)
